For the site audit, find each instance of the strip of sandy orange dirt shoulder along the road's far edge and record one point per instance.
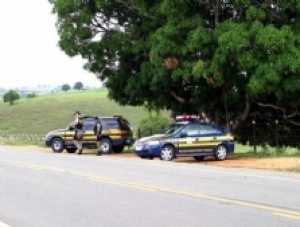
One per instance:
(233, 162)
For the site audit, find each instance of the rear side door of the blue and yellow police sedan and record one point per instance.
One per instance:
(208, 137)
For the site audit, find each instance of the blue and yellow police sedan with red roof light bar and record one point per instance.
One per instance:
(186, 137)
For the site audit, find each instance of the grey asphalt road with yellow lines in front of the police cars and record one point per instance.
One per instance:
(46, 189)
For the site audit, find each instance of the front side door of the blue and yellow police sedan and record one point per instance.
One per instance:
(188, 143)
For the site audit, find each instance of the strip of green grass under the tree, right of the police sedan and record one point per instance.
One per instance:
(244, 151)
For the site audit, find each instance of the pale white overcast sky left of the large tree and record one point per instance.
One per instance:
(29, 54)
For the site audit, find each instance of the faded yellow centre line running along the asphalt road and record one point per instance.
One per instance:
(276, 211)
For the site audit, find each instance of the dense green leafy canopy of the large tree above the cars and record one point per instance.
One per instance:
(234, 57)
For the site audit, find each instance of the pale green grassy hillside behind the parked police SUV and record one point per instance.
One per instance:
(44, 113)
